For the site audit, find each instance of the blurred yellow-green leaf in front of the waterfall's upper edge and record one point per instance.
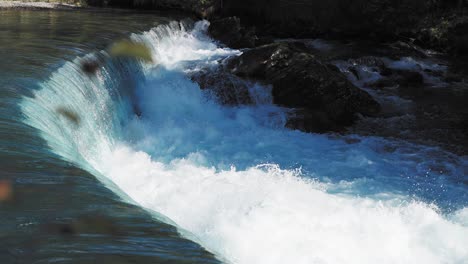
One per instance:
(126, 48)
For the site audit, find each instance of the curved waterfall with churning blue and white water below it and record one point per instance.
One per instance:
(234, 179)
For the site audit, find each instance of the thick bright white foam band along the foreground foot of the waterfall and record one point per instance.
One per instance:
(267, 215)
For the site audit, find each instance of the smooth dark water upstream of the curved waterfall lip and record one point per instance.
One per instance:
(58, 213)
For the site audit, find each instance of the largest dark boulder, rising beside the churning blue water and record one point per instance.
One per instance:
(302, 81)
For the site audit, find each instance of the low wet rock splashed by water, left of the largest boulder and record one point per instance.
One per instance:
(228, 89)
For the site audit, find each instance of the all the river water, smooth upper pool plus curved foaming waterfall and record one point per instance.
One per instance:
(188, 179)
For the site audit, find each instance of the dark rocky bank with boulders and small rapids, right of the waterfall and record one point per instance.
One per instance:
(387, 88)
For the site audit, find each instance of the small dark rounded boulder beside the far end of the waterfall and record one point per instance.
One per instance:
(230, 32)
